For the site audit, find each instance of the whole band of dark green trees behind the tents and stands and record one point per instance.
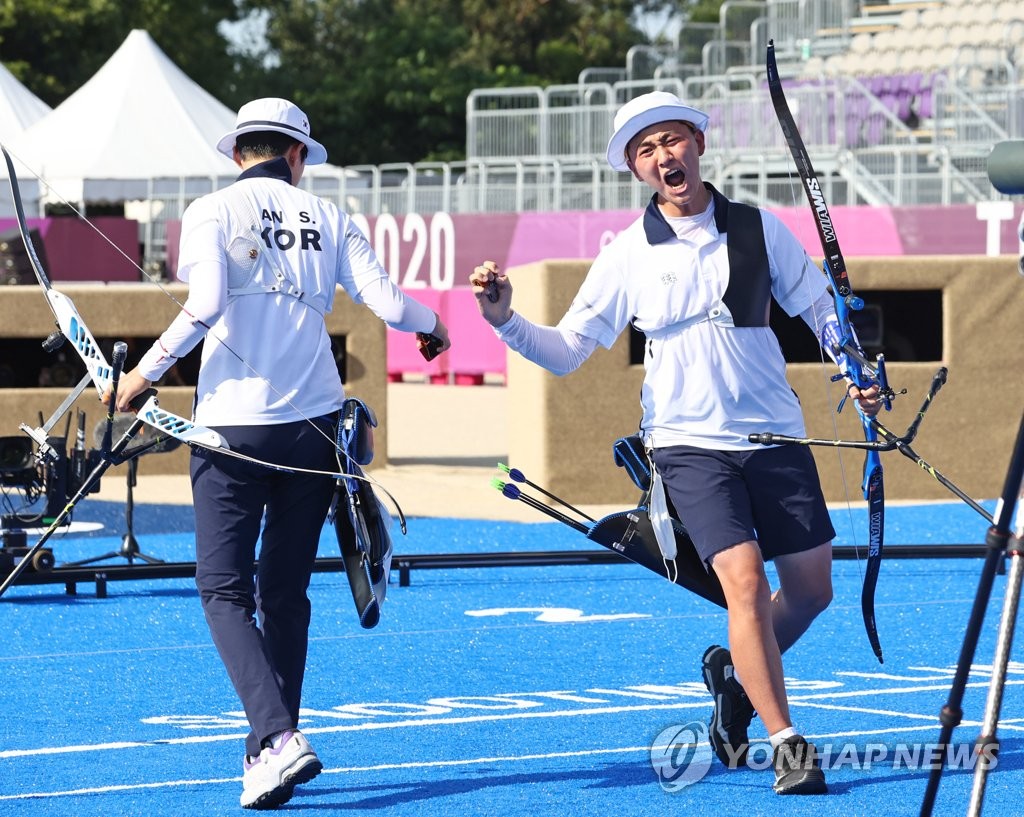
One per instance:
(381, 80)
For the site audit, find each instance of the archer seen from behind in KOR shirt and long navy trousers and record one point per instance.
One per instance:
(263, 260)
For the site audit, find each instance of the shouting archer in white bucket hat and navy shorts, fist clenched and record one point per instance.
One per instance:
(696, 274)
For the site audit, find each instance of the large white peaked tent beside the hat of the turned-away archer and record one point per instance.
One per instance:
(136, 126)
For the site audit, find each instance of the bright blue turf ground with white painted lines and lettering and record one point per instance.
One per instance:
(489, 692)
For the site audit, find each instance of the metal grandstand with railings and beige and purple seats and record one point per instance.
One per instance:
(900, 104)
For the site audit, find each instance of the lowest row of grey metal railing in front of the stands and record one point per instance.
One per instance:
(761, 174)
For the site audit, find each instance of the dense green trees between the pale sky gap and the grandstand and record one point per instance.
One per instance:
(388, 80)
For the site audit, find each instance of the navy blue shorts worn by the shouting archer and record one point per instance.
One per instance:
(772, 496)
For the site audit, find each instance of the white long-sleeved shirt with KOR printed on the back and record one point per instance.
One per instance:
(263, 261)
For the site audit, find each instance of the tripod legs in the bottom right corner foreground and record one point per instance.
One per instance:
(998, 540)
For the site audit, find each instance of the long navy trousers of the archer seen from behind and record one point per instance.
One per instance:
(261, 620)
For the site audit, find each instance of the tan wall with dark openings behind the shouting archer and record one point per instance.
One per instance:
(562, 429)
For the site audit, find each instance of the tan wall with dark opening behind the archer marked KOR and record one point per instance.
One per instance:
(143, 311)
